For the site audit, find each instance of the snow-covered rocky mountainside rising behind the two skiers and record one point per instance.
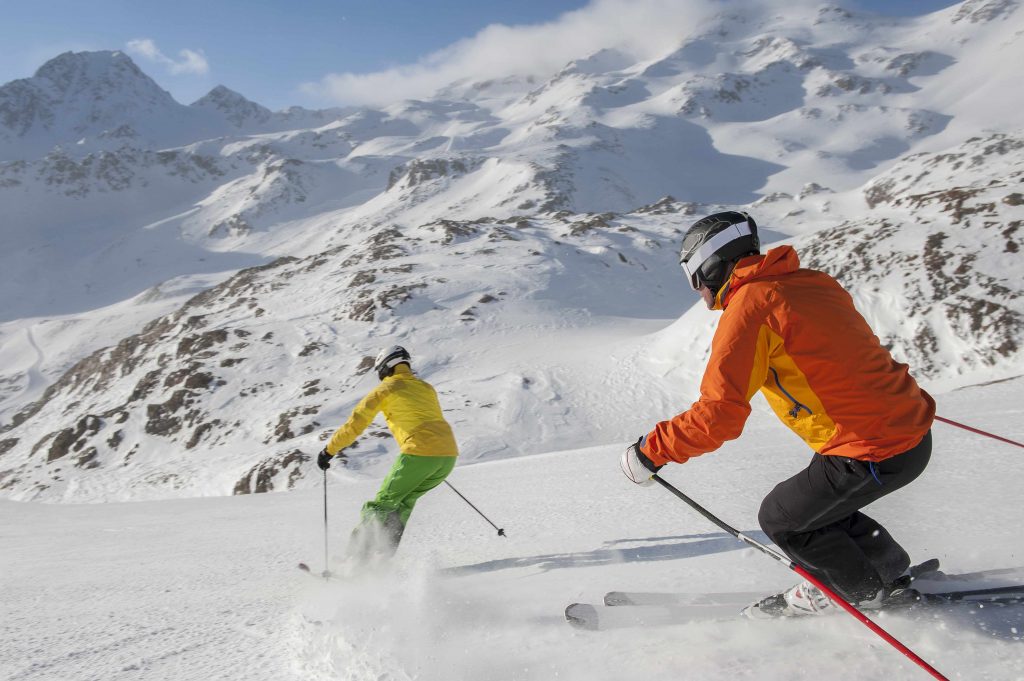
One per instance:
(217, 301)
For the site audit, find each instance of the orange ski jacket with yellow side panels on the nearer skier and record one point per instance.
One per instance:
(795, 335)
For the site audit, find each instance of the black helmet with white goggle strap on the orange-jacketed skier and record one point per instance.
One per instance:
(715, 242)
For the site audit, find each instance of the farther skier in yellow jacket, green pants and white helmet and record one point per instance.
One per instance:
(428, 451)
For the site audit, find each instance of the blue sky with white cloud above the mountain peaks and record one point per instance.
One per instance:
(323, 53)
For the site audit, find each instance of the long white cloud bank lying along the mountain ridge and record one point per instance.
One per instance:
(645, 29)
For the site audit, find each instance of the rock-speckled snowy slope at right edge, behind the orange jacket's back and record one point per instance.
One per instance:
(946, 263)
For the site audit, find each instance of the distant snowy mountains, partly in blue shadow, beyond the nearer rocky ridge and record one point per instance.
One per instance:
(748, 104)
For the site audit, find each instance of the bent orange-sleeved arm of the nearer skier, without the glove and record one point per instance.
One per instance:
(738, 368)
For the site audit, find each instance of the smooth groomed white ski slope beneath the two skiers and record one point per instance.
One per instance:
(199, 589)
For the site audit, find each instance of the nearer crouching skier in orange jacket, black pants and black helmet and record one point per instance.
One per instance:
(795, 336)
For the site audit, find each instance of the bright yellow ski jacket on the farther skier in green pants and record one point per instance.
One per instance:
(413, 415)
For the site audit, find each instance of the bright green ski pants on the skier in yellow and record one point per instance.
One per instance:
(410, 479)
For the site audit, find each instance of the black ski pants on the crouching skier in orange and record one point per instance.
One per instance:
(816, 519)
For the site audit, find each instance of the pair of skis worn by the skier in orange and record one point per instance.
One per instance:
(718, 607)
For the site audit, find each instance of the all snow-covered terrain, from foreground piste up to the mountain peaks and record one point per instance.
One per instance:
(499, 230)
